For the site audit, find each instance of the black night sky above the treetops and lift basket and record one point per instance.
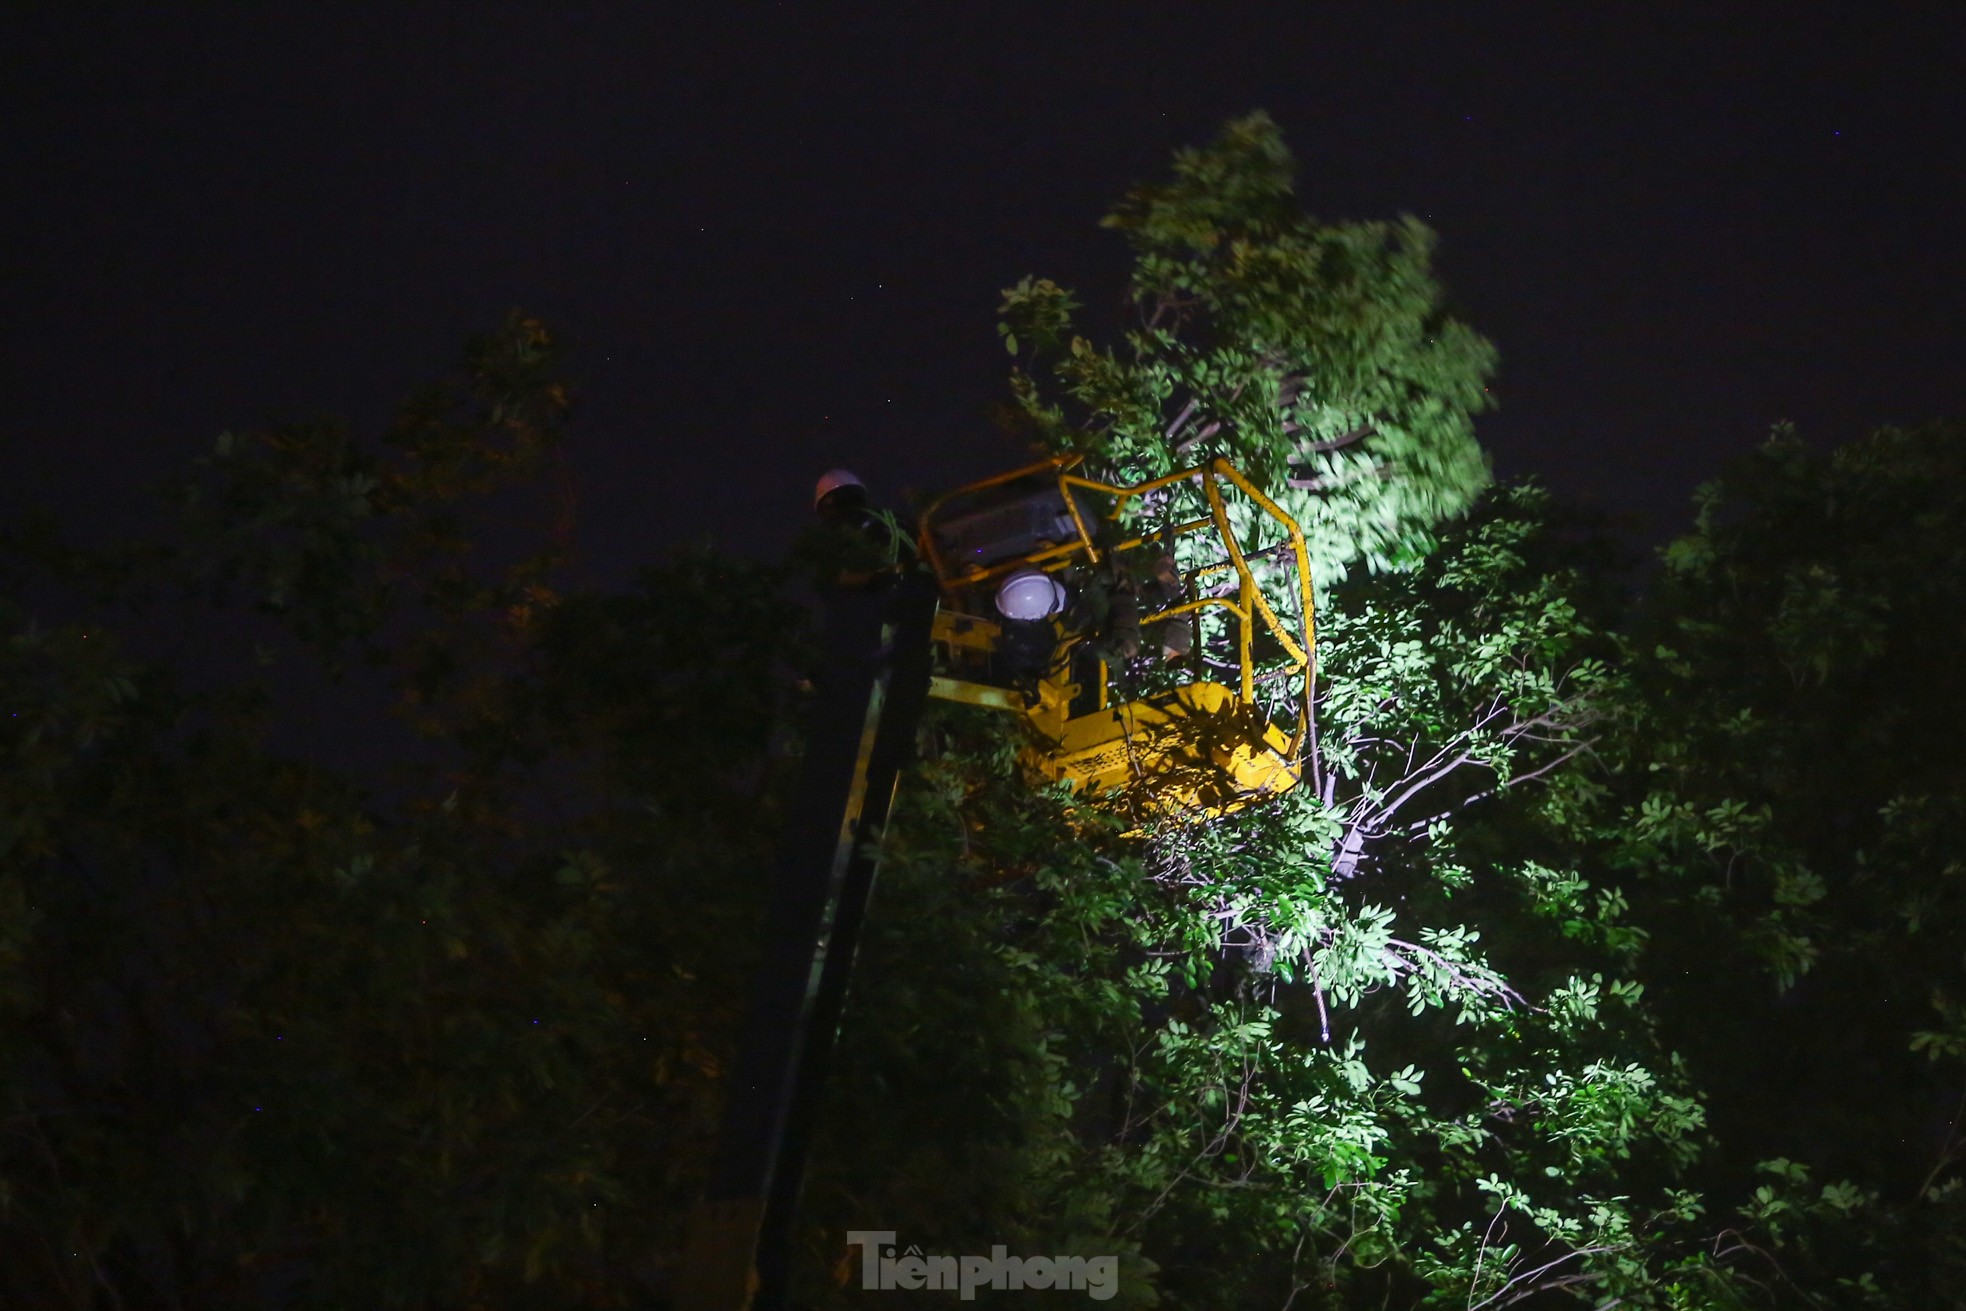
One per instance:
(774, 235)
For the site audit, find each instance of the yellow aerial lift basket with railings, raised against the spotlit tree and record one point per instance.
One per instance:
(1200, 734)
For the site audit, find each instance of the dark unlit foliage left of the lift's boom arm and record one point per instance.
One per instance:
(280, 1037)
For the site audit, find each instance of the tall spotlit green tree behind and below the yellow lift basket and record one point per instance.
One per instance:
(1271, 1056)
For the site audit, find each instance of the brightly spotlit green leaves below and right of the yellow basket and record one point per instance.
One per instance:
(1361, 1001)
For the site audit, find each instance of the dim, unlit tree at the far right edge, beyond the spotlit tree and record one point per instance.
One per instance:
(1792, 815)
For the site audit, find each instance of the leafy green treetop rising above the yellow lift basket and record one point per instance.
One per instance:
(1316, 355)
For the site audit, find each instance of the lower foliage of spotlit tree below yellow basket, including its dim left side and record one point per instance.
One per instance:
(1359, 1045)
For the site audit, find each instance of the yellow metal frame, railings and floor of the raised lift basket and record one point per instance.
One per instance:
(1208, 744)
